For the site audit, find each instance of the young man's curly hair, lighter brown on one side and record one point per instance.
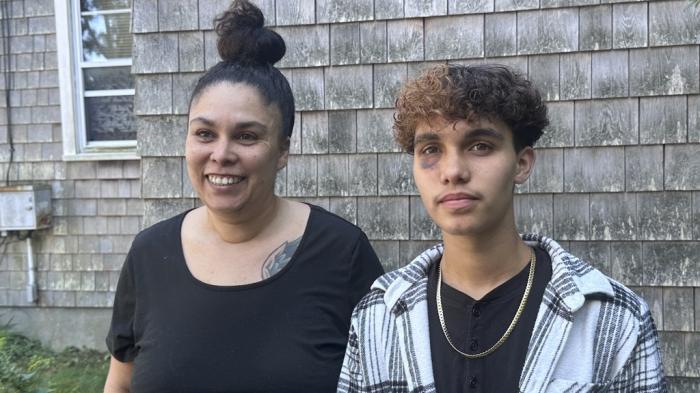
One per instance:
(457, 92)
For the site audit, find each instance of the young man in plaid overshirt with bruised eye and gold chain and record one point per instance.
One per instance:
(490, 310)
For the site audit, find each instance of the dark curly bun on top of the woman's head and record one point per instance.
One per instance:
(244, 38)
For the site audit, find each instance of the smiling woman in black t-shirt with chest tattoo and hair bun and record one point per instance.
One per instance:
(249, 292)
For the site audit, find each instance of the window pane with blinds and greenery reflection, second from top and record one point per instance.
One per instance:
(106, 36)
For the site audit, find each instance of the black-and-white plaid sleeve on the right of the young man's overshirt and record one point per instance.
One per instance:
(643, 370)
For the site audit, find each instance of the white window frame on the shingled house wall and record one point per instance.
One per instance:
(72, 92)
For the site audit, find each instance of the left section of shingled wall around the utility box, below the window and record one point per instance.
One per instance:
(97, 208)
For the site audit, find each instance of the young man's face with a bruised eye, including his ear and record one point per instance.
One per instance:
(465, 172)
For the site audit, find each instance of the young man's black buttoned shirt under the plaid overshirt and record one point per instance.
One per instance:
(475, 326)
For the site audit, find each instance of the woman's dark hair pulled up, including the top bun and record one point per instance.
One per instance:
(249, 51)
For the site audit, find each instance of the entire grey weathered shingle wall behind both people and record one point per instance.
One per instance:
(617, 179)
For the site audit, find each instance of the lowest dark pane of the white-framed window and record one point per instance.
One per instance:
(110, 118)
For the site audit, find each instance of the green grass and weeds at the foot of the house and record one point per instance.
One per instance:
(27, 366)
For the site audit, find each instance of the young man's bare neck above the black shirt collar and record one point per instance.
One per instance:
(475, 265)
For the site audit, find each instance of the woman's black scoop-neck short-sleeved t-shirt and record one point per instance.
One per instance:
(286, 333)
